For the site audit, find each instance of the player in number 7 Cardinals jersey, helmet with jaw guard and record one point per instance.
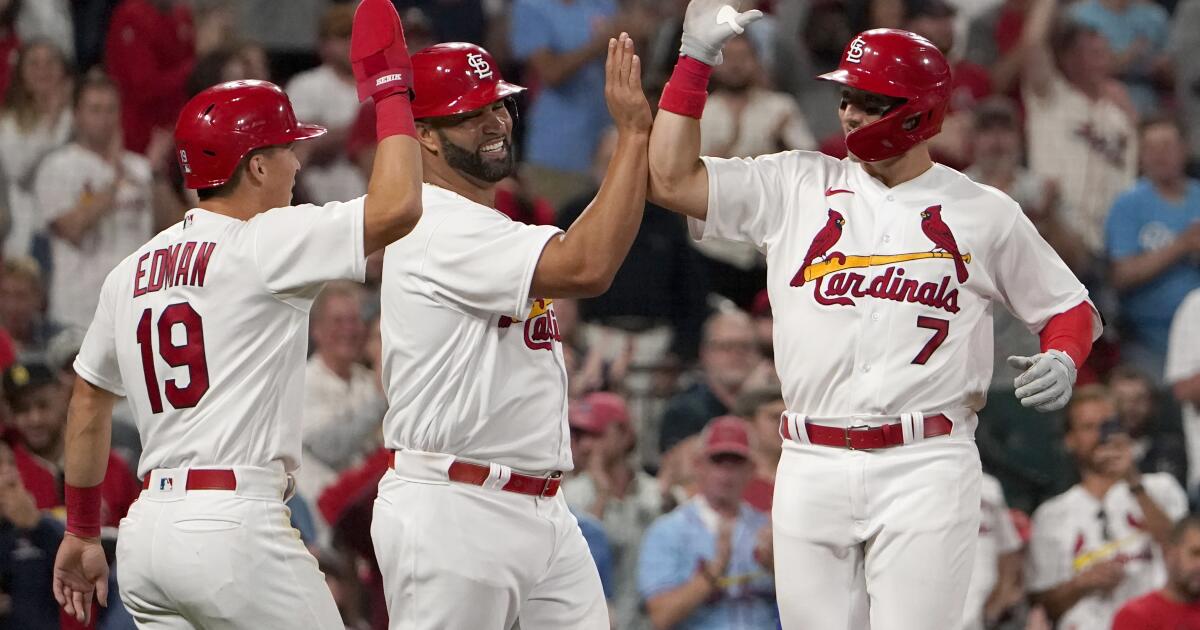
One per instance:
(884, 271)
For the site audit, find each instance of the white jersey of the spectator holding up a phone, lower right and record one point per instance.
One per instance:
(1075, 531)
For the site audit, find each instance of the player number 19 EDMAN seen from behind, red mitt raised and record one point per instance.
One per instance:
(205, 329)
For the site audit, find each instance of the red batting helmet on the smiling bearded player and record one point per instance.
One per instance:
(454, 79)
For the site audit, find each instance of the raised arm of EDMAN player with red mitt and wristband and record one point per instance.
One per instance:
(385, 73)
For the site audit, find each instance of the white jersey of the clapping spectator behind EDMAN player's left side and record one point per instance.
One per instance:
(67, 177)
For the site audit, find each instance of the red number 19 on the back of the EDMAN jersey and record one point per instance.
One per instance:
(190, 355)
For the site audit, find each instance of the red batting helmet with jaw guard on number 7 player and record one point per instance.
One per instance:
(902, 65)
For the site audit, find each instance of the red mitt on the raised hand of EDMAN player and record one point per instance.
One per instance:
(379, 53)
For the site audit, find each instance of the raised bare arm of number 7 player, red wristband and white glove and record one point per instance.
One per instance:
(679, 179)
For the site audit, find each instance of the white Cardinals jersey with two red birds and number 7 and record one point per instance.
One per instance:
(878, 317)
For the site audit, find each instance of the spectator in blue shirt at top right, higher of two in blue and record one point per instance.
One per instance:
(1137, 35)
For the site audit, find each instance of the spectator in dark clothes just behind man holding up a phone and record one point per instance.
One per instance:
(1155, 449)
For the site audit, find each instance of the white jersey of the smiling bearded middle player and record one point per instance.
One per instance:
(473, 365)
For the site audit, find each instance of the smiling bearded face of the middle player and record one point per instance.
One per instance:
(479, 143)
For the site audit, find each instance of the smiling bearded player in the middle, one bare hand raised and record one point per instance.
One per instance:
(471, 530)
